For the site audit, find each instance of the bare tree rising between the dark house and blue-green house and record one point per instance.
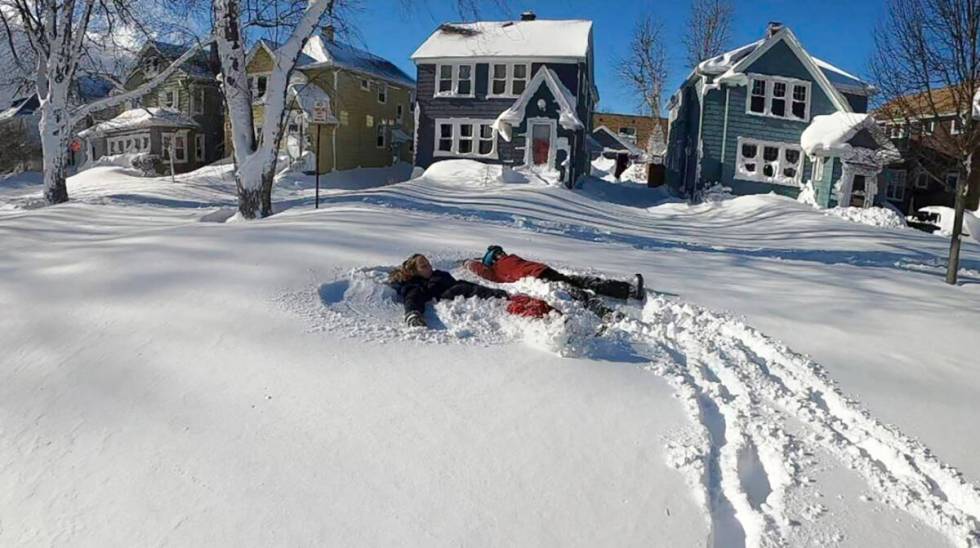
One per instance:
(644, 68)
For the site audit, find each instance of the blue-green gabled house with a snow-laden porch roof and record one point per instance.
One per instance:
(738, 120)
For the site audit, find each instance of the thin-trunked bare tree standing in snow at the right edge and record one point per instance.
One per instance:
(926, 65)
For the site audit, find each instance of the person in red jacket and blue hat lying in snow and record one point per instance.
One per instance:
(501, 267)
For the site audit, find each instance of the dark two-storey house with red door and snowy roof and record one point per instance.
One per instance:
(516, 93)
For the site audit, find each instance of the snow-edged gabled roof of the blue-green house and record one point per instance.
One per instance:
(731, 64)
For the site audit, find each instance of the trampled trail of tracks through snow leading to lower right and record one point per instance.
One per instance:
(741, 386)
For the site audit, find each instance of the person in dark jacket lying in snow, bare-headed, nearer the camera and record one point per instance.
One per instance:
(417, 283)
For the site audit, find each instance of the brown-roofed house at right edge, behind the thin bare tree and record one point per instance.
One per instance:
(926, 127)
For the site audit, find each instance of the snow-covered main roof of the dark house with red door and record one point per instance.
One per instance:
(537, 38)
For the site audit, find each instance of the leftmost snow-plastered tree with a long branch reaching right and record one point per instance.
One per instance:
(60, 36)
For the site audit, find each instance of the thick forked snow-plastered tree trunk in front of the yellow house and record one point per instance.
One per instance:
(255, 155)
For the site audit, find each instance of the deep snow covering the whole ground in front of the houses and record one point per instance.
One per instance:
(799, 380)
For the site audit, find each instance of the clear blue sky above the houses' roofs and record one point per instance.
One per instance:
(837, 31)
